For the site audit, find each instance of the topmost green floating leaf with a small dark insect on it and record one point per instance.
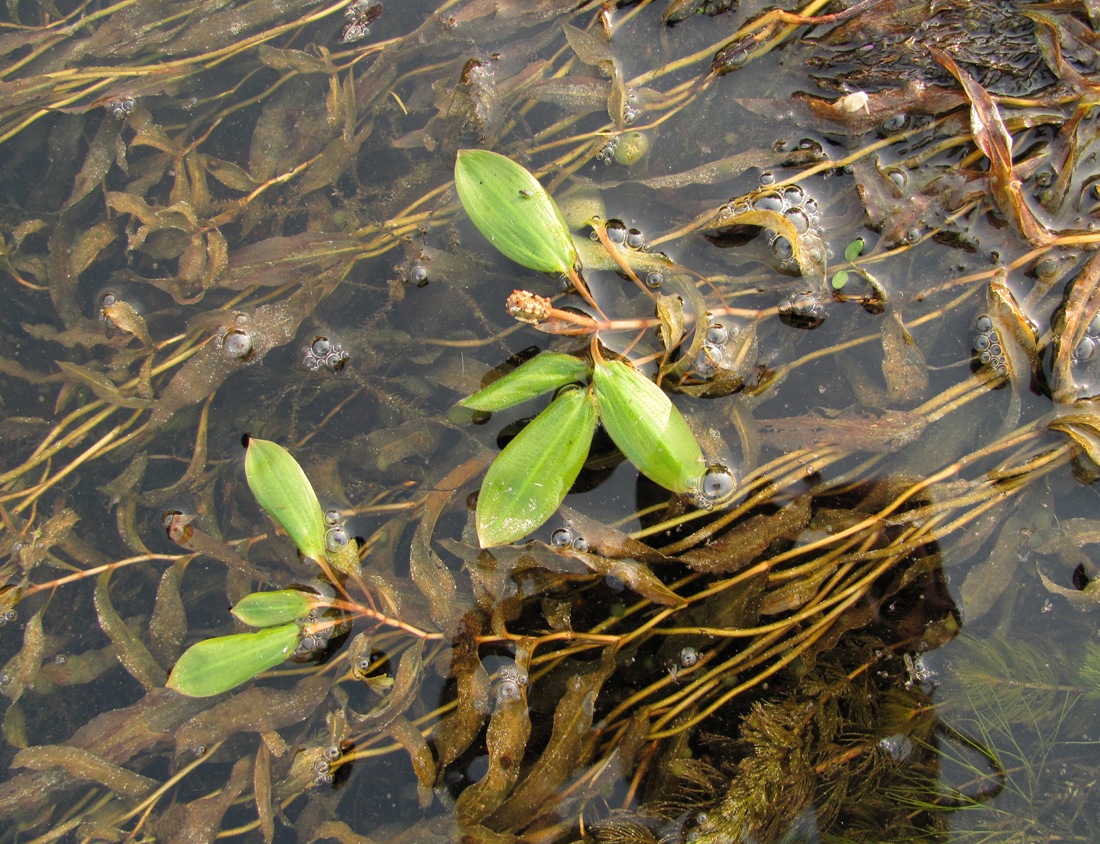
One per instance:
(514, 212)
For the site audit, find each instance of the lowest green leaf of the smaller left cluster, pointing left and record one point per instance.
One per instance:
(218, 665)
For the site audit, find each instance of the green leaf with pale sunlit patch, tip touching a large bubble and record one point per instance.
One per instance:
(647, 428)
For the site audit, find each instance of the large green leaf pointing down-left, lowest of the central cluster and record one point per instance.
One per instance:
(530, 479)
